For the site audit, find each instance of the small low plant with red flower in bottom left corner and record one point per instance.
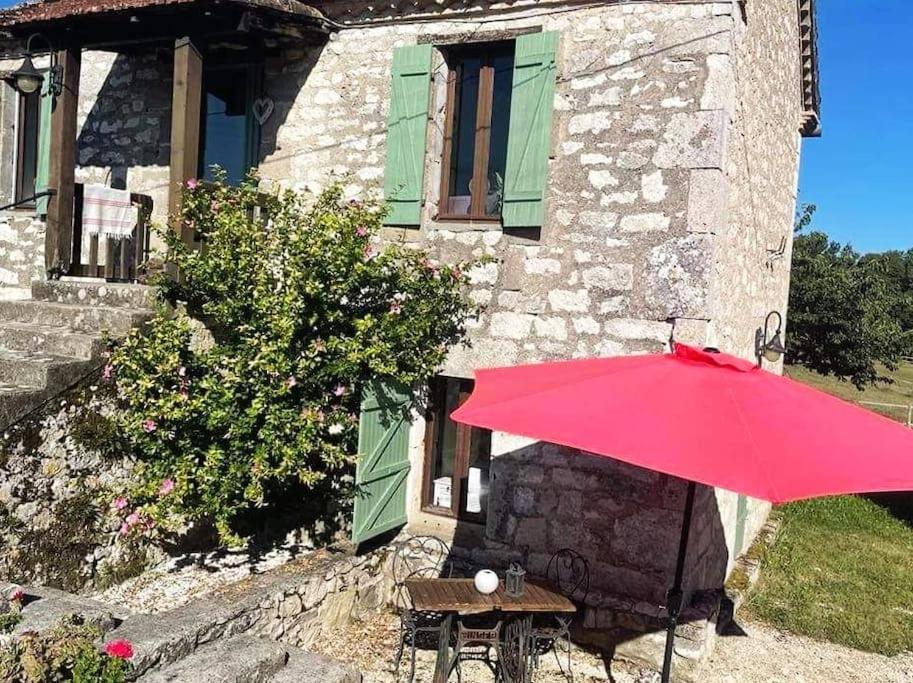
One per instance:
(66, 652)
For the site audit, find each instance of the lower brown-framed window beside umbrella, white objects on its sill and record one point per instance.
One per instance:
(457, 456)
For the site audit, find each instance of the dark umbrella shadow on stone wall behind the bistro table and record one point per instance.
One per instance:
(626, 522)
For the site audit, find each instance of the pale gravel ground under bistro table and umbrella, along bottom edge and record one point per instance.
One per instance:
(762, 655)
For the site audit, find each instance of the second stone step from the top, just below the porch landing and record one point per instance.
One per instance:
(115, 321)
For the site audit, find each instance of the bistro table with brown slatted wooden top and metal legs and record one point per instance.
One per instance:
(459, 597)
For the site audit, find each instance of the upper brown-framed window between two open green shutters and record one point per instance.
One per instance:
(479, 87)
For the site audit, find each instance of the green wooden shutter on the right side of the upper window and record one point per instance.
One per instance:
(530, 131)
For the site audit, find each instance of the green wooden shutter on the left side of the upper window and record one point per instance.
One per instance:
(406, 132)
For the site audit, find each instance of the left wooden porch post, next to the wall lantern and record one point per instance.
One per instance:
(62, 168)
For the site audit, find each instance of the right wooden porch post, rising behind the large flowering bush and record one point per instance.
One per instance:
(185, 127)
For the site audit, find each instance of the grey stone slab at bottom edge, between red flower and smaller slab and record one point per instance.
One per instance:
(239, 659)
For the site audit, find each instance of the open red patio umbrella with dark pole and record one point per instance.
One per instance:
(704, 416)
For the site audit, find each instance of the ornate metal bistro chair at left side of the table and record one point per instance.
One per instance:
(418, 557)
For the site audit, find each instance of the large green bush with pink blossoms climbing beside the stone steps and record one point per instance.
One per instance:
(300, 311)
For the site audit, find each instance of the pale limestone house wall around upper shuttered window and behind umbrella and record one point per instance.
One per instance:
(646, 236)
